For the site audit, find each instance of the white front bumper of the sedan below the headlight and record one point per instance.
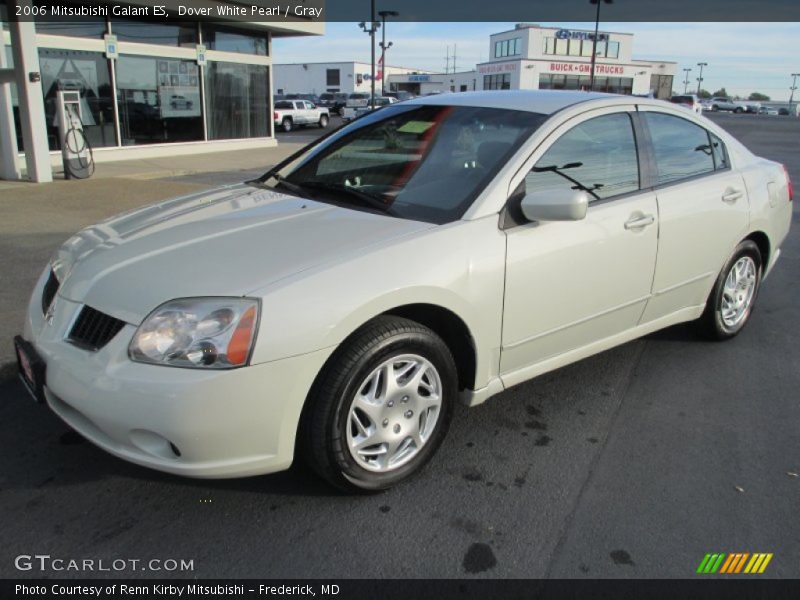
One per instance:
(190, 422)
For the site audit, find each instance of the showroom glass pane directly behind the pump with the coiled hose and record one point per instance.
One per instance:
(88, 73)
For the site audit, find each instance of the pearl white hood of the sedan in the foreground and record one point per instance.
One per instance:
(226, 242)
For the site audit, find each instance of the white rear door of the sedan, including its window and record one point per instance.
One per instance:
(703, 211)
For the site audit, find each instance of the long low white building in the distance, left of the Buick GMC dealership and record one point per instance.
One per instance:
(347, 77)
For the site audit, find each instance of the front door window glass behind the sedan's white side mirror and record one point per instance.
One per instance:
(597, 156)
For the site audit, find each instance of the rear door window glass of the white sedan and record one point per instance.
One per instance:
(682, 149)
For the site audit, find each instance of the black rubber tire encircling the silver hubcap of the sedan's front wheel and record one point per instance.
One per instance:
(425, 344)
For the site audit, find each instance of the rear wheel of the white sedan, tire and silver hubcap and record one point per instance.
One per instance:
(731, 302)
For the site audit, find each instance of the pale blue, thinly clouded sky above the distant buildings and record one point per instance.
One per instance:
(742, 57)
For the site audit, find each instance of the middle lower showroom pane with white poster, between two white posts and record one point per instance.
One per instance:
(159, 100)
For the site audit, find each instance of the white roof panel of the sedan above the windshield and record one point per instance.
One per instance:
(539, 101)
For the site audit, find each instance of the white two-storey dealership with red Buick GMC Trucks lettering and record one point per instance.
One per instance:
(531, 57)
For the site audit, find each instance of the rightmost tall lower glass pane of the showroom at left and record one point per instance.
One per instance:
(237, 100)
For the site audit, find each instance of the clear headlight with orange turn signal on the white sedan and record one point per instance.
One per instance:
(204, 333)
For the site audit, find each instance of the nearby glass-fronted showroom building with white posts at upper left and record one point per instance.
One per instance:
(147, 88)
